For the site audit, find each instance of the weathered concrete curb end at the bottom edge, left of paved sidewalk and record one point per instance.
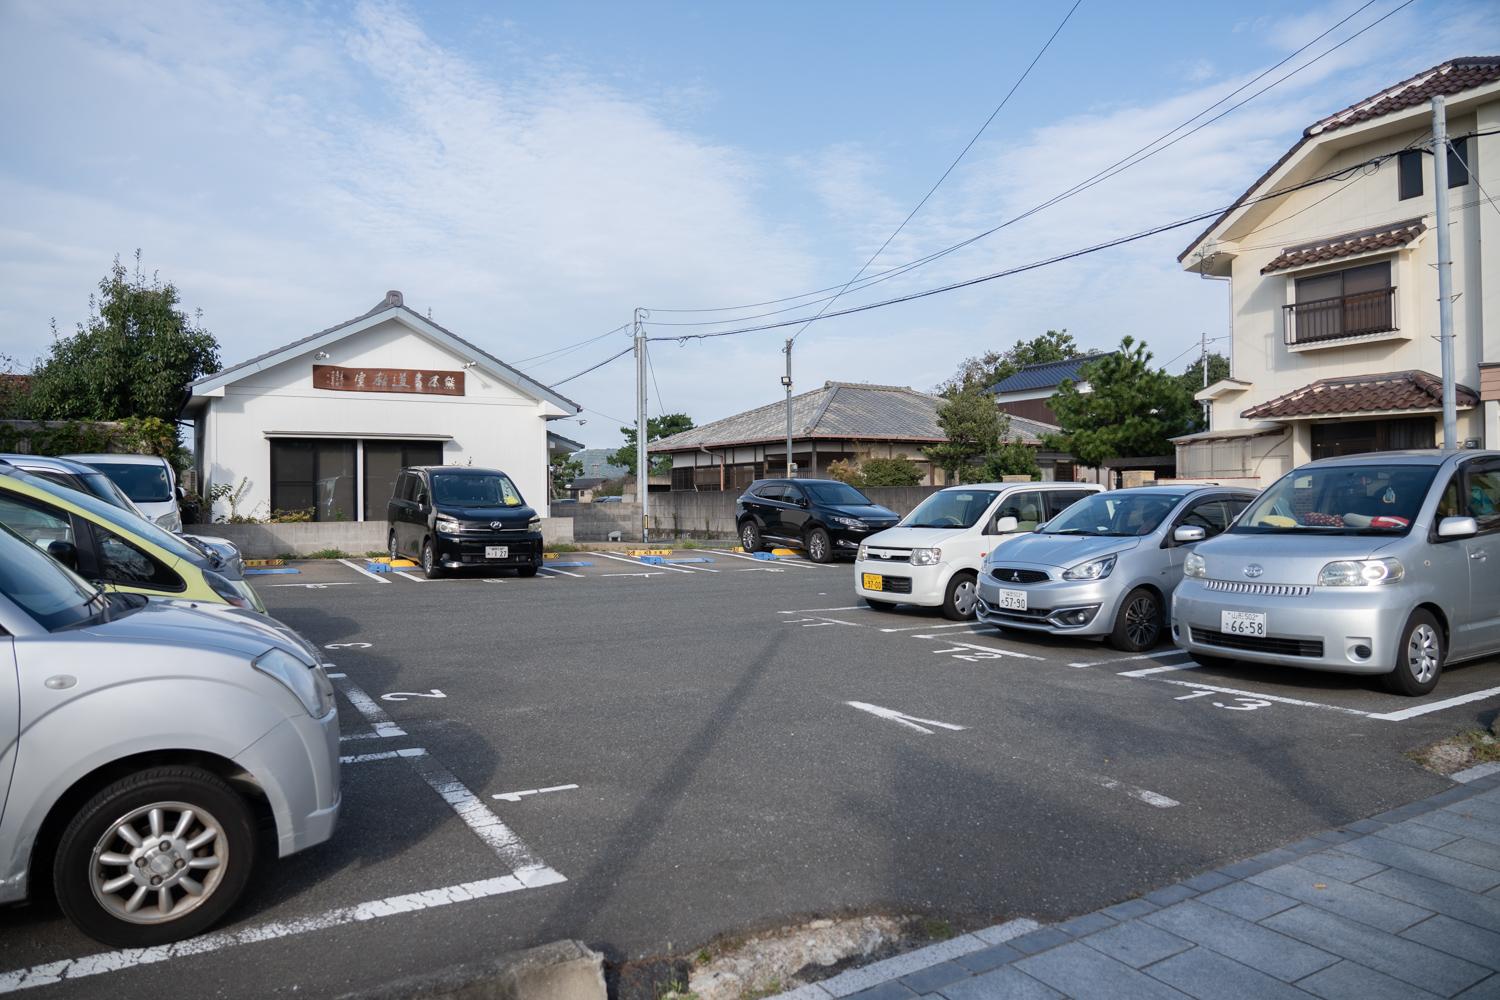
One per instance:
(562, 971)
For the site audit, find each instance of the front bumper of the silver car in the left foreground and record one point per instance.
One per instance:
(298, 768)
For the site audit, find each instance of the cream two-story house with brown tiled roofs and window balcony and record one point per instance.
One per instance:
(1331, 263)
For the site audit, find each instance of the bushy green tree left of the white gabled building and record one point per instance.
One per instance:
(136, 356)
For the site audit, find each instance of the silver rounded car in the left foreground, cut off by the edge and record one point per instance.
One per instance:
(143, 746)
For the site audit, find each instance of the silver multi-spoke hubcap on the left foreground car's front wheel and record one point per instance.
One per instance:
(158, 863)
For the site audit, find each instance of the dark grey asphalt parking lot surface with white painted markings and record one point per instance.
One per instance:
(647, 756)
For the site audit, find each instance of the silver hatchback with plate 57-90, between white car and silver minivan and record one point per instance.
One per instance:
(1108, 566)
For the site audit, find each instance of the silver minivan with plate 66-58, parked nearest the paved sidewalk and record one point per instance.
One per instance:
(1382, 564)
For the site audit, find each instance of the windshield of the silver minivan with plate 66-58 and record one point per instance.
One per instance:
(1342, 500)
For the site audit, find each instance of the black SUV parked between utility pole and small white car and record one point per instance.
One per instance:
(820, 516)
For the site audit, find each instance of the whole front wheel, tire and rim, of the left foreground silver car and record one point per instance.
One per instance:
(218, 812)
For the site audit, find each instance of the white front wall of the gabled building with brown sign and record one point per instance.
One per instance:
(491, 425)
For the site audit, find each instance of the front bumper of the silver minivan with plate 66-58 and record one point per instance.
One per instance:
(1346, 632)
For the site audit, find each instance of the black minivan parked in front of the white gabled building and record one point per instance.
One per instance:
(449, 518)
